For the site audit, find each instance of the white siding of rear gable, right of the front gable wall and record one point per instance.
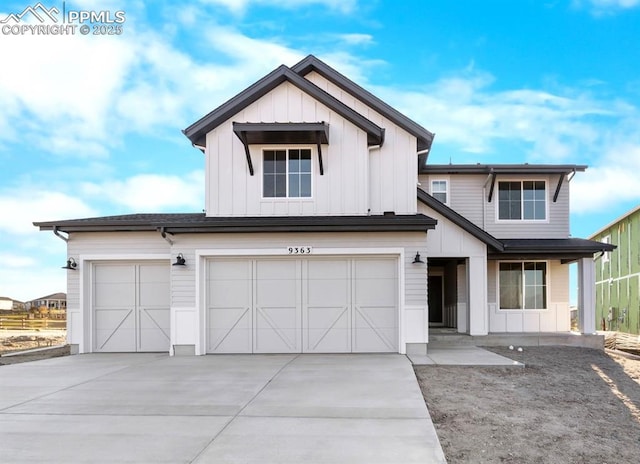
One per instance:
(392, 168)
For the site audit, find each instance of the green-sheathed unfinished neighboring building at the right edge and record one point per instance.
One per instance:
(618, 275)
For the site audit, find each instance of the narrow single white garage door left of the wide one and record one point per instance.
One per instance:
(131, 307)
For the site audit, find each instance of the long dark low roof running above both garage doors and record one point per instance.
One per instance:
(199, 223)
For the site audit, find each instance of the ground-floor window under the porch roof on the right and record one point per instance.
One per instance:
(523, 285)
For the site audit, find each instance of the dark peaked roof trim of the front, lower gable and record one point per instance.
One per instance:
(197, 131)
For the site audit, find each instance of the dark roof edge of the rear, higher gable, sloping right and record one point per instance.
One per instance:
(311, 63)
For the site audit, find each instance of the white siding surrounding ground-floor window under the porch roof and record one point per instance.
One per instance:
(555, 318)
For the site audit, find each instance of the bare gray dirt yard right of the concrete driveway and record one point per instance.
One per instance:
(569, 405)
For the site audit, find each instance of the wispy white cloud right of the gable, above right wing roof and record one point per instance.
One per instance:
(467, 114)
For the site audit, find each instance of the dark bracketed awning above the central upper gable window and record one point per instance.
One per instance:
(286, 133)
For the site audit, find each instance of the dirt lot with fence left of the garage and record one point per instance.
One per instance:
(20, 340)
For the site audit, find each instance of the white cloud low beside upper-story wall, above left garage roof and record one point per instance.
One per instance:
(152, 192)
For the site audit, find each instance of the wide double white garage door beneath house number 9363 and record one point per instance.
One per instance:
(315, 305)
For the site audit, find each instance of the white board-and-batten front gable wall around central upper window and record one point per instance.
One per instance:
(342, 190)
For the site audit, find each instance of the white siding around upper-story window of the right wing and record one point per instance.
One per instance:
(468, 197)
